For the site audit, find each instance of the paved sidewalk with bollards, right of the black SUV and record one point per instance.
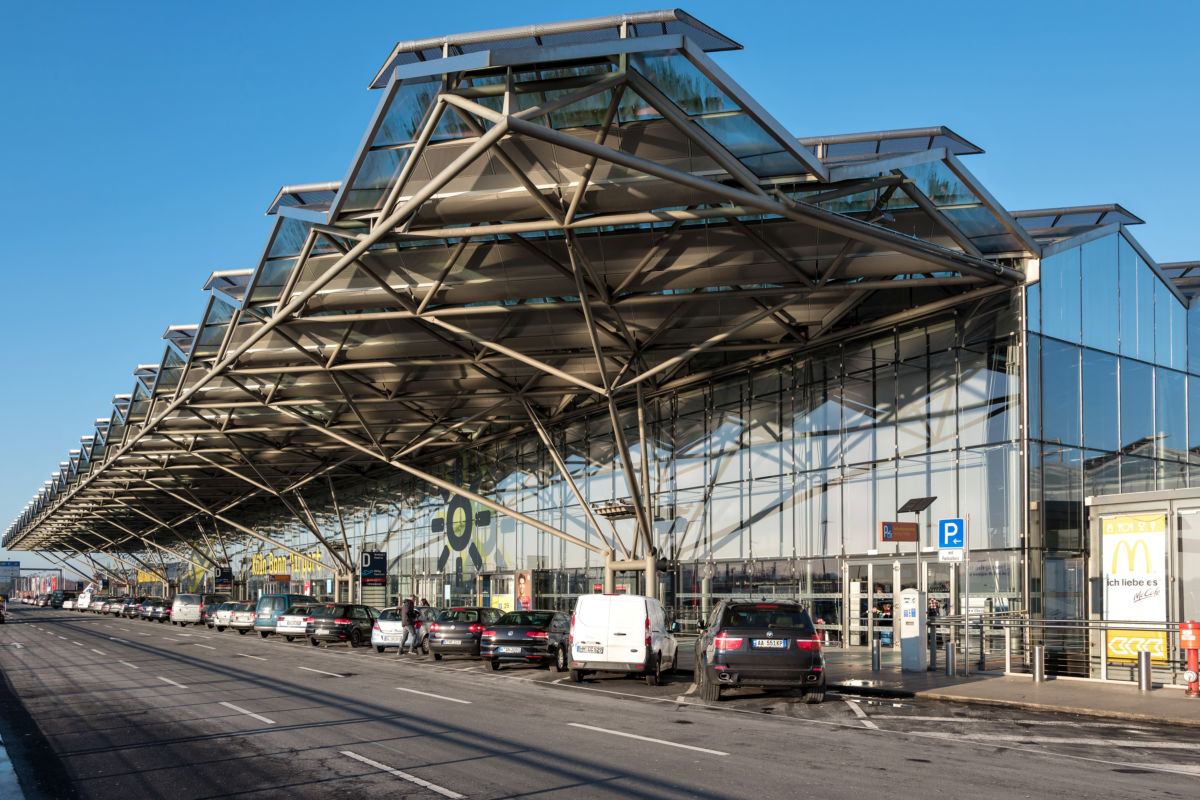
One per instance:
(849, 671)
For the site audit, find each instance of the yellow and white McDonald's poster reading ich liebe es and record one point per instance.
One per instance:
(1133, 552)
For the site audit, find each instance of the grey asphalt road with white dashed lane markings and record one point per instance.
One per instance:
(116, 708)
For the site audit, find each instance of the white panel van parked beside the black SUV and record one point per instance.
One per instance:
(621, 634)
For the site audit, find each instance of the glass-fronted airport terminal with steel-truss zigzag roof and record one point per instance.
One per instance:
(583, 316)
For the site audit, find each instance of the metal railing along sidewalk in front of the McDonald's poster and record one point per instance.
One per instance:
(1075, 648)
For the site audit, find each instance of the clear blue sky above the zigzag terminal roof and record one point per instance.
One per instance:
(143, 142)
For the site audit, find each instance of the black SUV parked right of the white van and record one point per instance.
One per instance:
(769, 645)
